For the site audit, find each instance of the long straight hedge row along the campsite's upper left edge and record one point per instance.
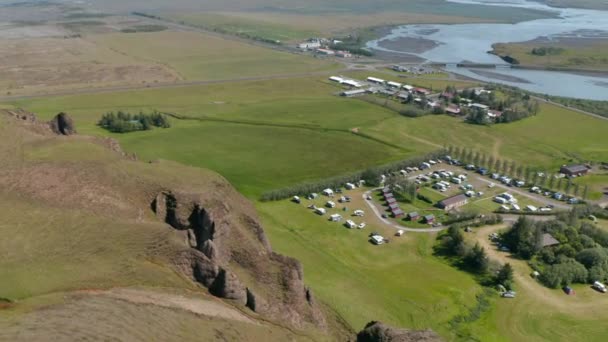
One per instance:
(371, 176)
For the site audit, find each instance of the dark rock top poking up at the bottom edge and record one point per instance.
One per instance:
(379, 332)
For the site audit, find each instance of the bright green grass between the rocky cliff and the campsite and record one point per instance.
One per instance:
(399, 283)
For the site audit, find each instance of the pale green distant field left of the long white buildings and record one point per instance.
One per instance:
(198, 56)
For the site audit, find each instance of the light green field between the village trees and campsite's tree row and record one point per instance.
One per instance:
(526, 141)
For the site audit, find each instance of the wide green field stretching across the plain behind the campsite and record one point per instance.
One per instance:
(301, 126)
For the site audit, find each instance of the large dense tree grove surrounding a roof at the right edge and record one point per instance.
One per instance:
(580, 257)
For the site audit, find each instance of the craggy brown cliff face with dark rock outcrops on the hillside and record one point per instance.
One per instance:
(231, 256)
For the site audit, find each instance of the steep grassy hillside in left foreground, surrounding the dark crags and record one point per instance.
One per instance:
(77, 221)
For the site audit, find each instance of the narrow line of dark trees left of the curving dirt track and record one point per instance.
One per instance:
(474, 259)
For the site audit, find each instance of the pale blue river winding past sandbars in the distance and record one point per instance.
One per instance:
(471, 43)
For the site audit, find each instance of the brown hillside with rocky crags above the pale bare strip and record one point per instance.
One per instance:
(102, 220)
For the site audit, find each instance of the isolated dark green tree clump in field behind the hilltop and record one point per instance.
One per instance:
(123, 122)
